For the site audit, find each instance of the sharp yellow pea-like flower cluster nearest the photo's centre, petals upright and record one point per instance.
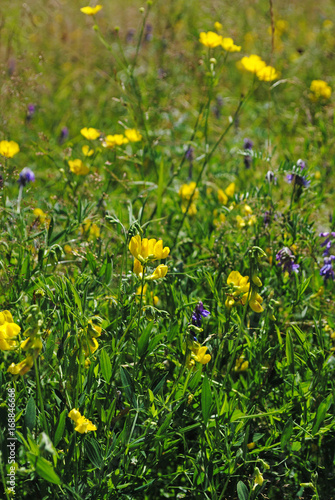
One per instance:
(146, 251)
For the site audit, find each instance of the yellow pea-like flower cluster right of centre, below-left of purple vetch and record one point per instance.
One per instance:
(240, 292)
